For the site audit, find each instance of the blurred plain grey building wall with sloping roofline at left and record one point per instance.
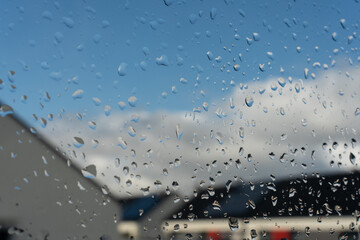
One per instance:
(35, 206)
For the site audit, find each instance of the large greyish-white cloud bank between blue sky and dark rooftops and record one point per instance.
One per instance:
(279, 121)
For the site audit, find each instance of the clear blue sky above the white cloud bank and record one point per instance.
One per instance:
(89, 40)
